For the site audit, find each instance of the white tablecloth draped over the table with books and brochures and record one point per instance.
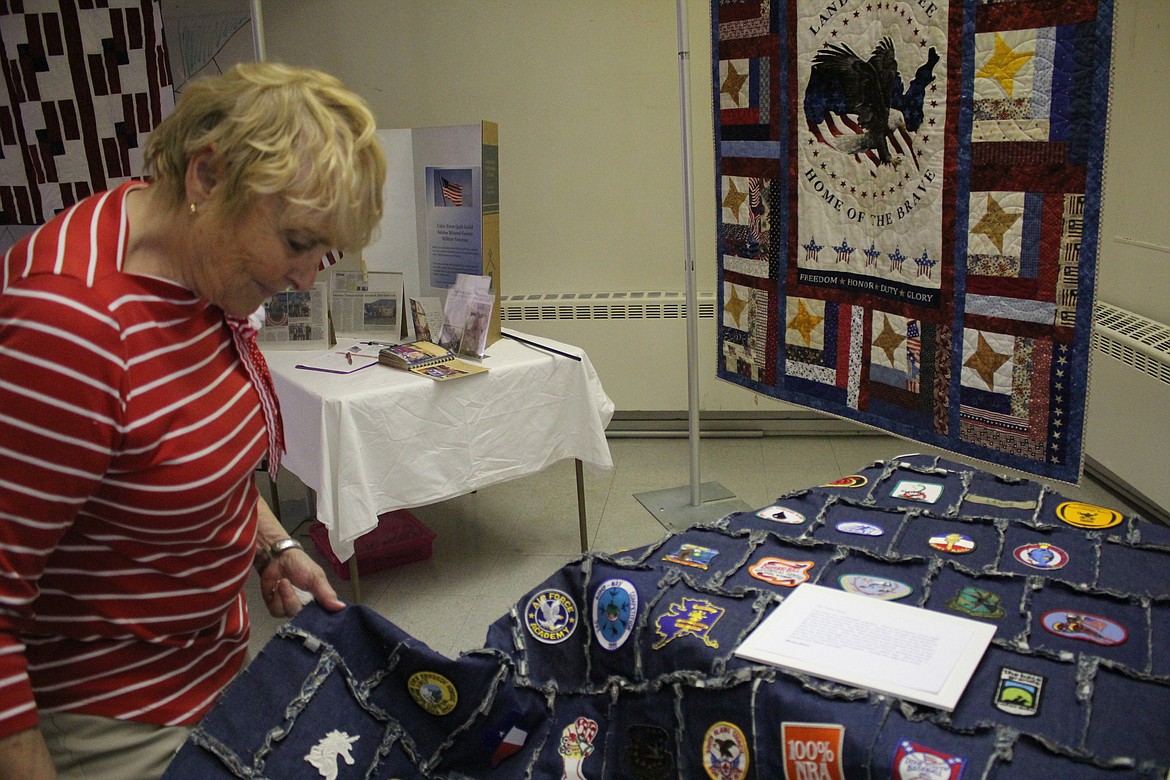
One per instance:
(380, 439)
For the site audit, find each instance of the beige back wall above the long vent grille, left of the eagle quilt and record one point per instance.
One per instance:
(587, 96)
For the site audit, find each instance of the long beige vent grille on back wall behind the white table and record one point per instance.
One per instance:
(603, 306)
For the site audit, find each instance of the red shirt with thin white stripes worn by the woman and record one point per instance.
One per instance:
(129, 433)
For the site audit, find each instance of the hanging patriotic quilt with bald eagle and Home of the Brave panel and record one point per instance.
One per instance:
(910, 198)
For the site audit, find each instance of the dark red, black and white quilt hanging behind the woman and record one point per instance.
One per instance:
(85, 82)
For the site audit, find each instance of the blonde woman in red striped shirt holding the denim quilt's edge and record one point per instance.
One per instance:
(135, 408)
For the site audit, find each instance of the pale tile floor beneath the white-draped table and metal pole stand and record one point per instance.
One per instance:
(497, 544)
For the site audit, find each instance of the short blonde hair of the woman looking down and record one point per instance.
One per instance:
(279, 130)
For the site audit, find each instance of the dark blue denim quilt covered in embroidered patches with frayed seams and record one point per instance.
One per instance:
(624, 666)
